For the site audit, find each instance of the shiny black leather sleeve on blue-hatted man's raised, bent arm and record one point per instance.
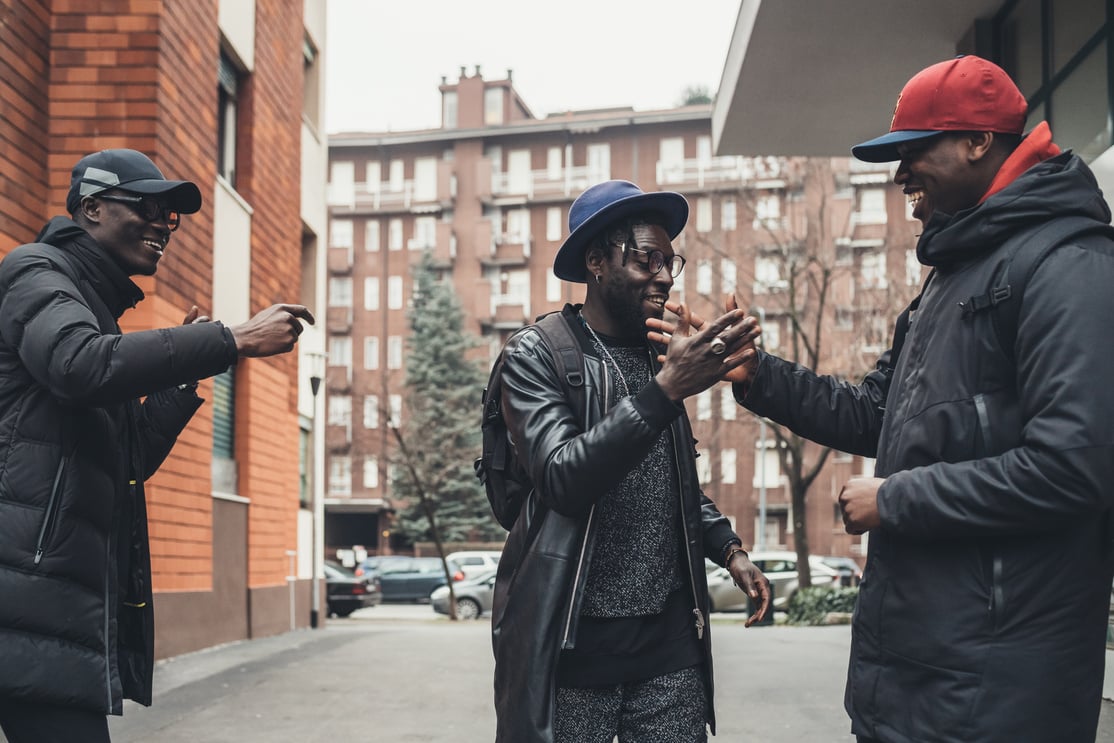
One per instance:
(570, 467)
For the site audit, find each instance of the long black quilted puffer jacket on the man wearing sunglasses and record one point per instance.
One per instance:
(75, 628)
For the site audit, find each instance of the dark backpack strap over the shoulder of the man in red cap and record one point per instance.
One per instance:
(1025, 253)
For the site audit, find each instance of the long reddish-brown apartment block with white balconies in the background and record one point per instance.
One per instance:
(488, 192)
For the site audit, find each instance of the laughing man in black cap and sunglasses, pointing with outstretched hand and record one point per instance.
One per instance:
(76, 444)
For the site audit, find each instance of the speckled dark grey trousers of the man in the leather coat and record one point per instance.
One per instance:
(668, 709)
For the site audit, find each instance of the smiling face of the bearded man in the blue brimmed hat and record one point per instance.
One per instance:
(629, 292)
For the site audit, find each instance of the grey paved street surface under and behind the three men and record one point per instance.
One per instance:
(402, 674)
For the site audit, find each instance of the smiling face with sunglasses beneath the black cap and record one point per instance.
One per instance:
(134, 245)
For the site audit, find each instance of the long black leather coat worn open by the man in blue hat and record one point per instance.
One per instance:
(543, 571)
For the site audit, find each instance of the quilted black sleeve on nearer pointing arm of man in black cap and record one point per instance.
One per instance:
(44, 316)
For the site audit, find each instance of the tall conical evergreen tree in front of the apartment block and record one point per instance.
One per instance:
(441, 436)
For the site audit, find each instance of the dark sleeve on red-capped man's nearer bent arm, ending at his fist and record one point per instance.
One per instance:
(1063, 467)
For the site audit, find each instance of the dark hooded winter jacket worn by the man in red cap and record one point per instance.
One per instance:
(983, 610)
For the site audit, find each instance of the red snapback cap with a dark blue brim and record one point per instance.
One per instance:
(965, 94)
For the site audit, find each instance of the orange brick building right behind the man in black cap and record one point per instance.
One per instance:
(226, 95)
